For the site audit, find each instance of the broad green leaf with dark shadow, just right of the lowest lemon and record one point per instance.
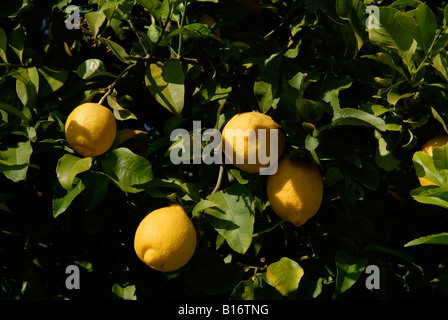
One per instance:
(233, 218)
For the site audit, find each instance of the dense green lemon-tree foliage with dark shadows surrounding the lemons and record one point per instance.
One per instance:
(359, 102)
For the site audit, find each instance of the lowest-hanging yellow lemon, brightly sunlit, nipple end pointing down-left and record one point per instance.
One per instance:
(165, 239)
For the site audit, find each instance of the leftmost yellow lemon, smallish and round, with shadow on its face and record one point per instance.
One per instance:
(90, 129)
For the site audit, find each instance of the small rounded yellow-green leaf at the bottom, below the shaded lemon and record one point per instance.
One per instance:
(285, 275)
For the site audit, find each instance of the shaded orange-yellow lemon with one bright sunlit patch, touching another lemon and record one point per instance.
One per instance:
(295, 190)
